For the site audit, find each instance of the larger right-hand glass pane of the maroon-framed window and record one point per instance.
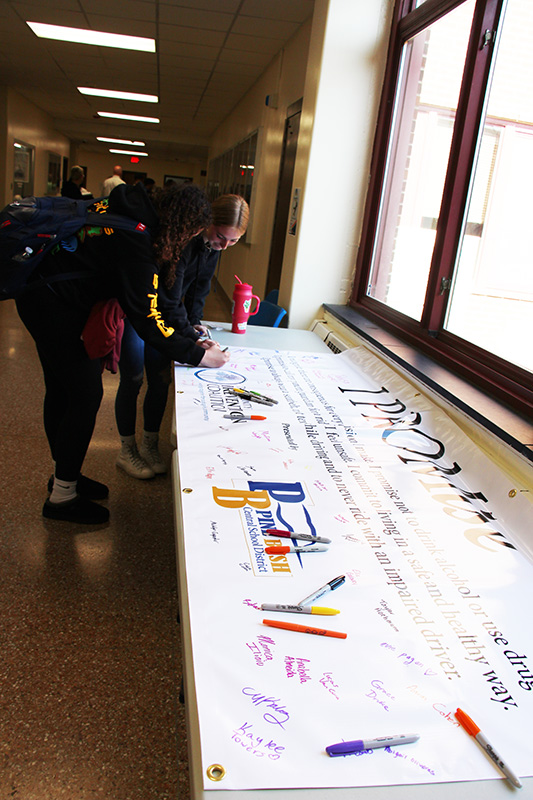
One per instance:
(492, 300)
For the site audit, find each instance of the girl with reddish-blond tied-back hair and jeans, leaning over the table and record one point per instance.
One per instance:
(193, 280)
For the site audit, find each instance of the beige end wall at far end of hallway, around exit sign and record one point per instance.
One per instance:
(100, 166)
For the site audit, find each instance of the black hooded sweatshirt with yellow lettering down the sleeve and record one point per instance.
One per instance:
(121, 264)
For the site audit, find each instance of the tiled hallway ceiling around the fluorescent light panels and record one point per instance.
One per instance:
(209, 54)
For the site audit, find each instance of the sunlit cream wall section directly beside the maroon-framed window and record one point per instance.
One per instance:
(342, 91)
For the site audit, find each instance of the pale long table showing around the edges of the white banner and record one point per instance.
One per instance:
(490, 789)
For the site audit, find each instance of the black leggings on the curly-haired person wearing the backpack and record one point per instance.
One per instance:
(73, 381)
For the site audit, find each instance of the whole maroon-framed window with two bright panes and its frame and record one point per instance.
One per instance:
(445, 258)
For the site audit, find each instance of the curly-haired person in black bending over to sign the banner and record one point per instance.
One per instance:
(129, 266)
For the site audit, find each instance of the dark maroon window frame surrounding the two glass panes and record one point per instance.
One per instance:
(509, 383)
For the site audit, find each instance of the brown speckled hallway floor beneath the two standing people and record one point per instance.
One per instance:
(90, 661)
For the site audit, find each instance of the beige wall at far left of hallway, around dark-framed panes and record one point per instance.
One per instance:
(32, 126)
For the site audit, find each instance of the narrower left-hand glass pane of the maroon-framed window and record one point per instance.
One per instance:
(426, 103)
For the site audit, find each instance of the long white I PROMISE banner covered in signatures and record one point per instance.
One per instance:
(437, 595)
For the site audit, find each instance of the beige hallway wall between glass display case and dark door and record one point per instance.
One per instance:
(285, 76)
